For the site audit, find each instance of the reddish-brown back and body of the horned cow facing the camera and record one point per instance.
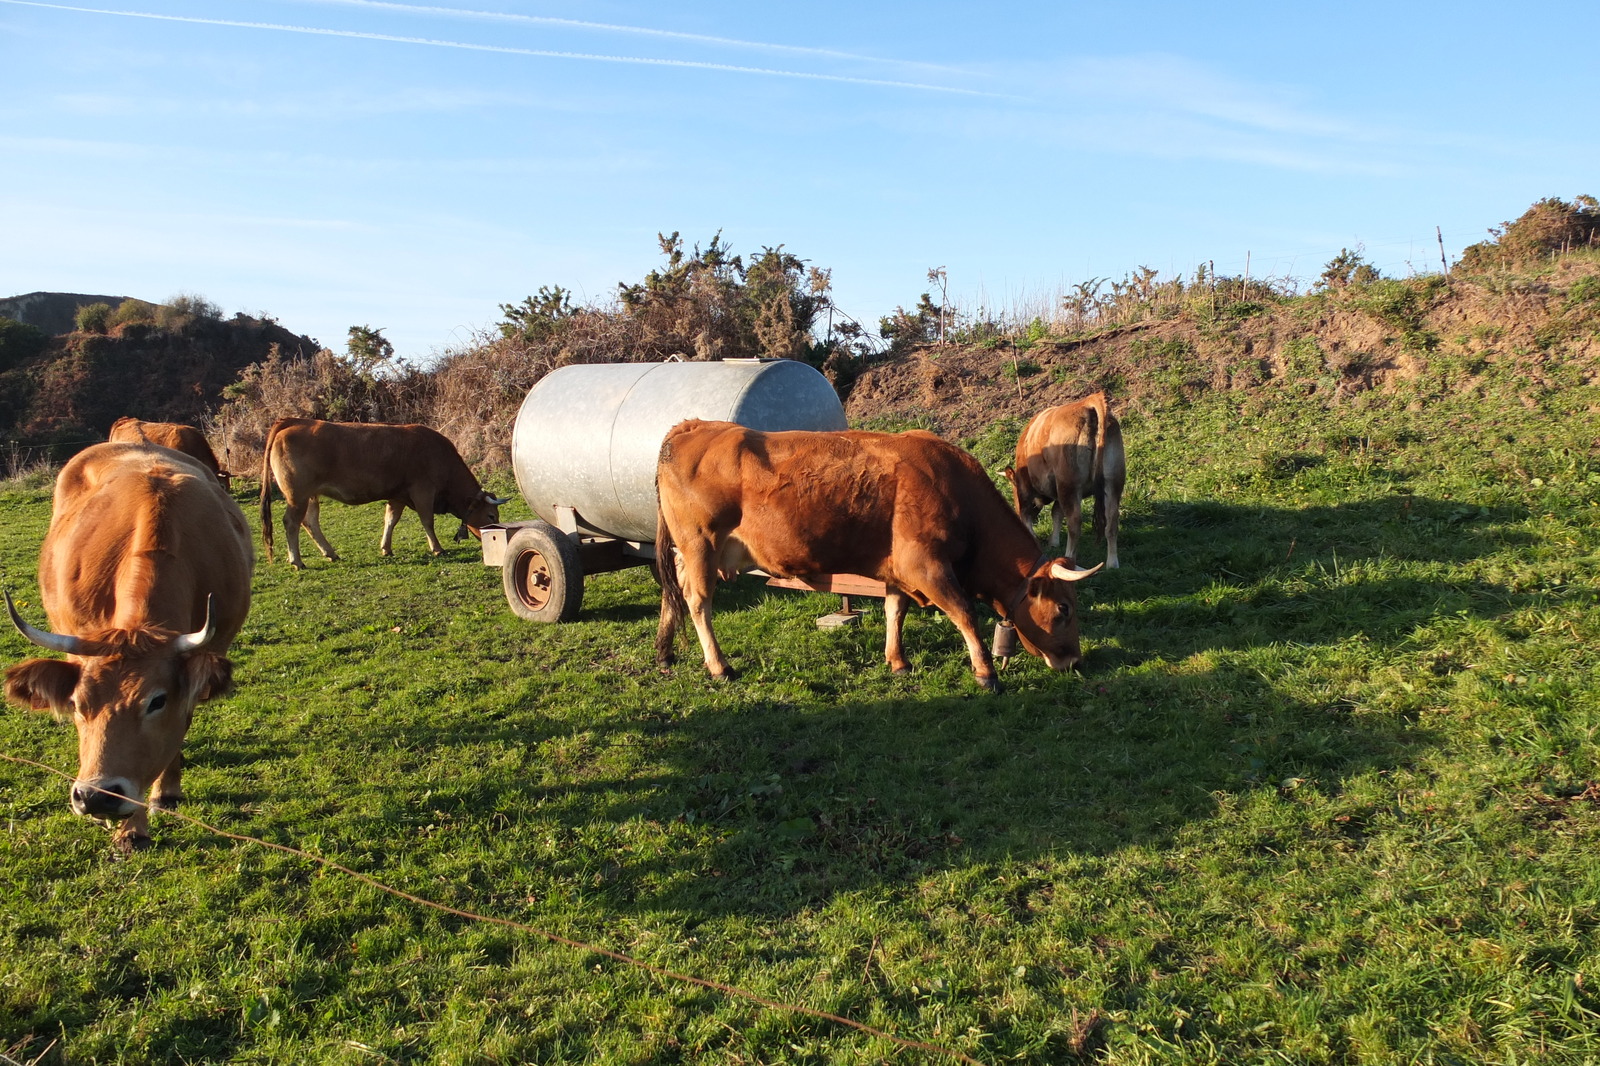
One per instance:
(143, 535)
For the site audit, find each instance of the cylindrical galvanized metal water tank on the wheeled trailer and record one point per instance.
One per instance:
(588, 436)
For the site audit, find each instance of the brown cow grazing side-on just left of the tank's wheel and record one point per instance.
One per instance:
(356, 463)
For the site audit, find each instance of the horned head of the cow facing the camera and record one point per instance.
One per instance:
(132, 697)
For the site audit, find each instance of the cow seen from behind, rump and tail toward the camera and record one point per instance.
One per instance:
(1068, 454)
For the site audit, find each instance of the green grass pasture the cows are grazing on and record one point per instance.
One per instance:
(1326, 791)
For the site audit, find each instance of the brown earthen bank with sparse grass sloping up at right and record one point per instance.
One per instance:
(1511, 335)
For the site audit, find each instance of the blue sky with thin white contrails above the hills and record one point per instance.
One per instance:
(412, 167)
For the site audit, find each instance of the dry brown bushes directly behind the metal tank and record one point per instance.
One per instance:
(700, 305)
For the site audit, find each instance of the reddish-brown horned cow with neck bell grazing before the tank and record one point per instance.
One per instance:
(908, 510)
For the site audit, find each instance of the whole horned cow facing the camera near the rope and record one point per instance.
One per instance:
(145, 577)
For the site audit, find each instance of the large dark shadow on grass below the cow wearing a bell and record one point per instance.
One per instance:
(799, 803)
